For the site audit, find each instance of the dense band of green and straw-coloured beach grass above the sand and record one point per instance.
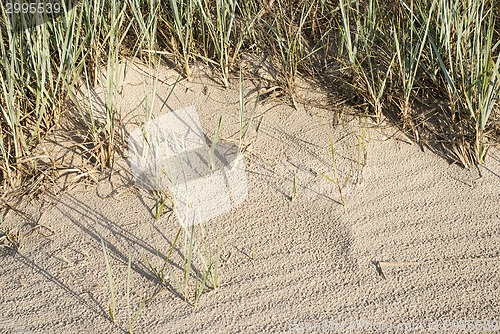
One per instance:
(395, 55)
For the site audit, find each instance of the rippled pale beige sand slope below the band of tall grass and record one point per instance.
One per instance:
(418, 240)
